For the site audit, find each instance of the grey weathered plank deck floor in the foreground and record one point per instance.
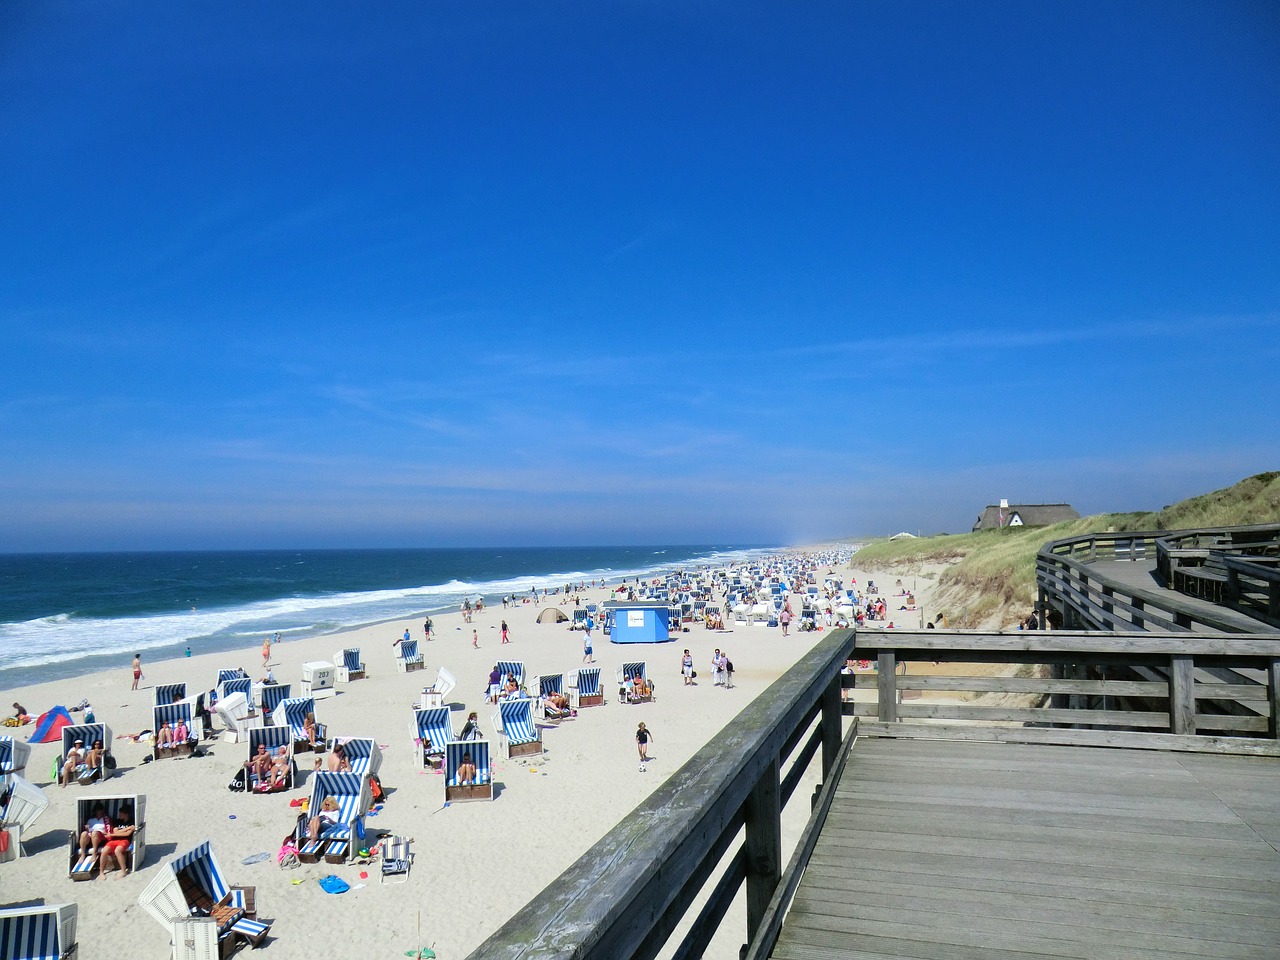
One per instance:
(949, 851)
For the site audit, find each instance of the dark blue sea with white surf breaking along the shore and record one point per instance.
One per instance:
(66, 615)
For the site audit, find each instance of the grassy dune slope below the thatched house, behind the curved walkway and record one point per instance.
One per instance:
(990, 577)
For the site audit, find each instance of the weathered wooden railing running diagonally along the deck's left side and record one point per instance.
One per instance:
(629, 893)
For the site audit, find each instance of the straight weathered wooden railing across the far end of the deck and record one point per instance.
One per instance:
(1141, 691)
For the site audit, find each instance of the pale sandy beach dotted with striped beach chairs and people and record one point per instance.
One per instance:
(477, 863)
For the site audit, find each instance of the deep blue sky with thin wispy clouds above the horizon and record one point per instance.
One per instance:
(308, 275)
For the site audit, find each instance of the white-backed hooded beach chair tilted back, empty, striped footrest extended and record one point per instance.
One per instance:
(207, 917)
